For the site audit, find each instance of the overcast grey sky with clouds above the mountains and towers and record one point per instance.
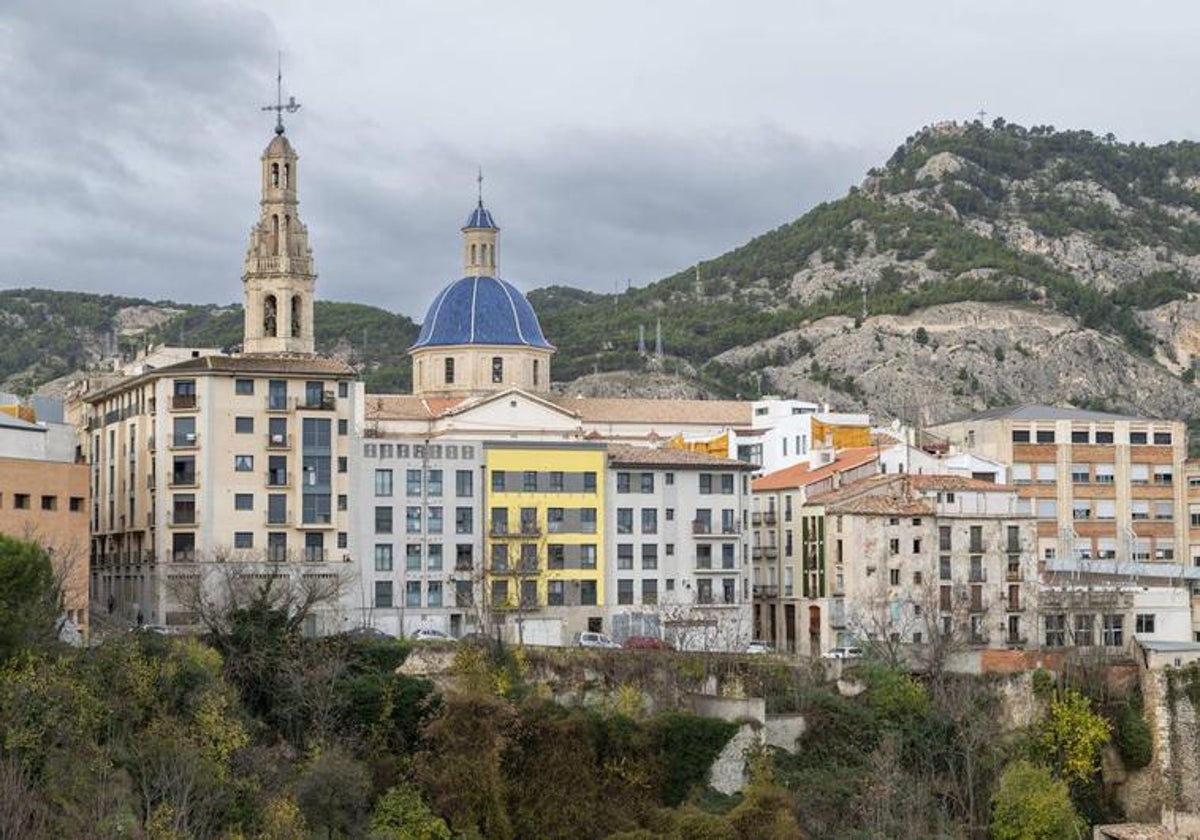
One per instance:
(621, 141)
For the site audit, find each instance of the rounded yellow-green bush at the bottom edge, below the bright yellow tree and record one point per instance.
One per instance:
(1031, 805)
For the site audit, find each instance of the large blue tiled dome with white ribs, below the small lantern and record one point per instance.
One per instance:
(481, 311)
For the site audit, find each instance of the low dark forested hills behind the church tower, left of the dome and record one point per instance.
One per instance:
(63, 333)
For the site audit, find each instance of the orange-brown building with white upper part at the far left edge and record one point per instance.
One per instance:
(44, 499)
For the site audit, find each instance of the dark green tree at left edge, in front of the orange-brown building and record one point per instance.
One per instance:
(31, 597)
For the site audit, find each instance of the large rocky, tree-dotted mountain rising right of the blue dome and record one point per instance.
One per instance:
(994, 265)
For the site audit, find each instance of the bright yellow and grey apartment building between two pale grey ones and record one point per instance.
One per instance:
(545, 539)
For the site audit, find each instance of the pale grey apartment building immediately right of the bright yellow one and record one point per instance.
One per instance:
(677, 532)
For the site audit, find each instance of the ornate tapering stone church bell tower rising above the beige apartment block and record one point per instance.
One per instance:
(279, 279)
